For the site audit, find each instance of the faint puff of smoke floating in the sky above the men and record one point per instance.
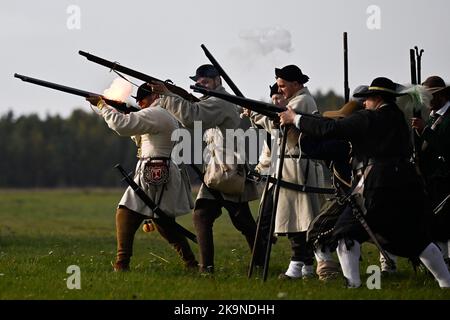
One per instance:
(267, 40)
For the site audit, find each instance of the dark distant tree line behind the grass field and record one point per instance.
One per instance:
(78, 151)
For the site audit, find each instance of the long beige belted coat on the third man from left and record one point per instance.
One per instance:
(296, 210)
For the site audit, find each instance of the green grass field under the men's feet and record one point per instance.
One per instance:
(44, 232)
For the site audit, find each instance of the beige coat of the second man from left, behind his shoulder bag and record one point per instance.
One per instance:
(215, 115)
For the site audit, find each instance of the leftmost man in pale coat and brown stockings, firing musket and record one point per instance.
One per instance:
(156, 174)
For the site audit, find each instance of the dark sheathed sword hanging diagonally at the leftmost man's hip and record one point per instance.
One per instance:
(163, 219)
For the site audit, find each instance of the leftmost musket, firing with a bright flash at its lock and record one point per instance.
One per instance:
(118, 105)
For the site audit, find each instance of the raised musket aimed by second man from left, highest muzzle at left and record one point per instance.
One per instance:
(115, 66)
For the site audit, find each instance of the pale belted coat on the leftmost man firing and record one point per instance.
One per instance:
(151, 129)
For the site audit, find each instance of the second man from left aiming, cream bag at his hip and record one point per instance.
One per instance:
(216, 116)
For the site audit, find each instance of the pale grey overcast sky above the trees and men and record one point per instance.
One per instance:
(248, 37)
